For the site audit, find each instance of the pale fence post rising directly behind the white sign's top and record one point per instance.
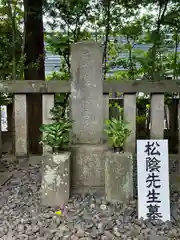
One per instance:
(157, 116)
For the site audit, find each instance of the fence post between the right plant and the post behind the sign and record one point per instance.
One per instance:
(130, 117)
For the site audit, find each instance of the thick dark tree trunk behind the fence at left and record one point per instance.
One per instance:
(34, 68)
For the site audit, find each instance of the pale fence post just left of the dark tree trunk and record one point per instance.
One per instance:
(20, 118)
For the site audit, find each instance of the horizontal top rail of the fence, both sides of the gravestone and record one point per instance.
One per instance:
(58, 86)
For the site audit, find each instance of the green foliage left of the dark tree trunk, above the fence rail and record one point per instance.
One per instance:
(10, 42)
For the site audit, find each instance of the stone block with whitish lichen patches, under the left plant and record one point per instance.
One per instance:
(55, 186)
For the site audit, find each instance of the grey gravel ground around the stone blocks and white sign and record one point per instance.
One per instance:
(85, 217)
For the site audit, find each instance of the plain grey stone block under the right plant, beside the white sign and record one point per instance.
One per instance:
(118, 176)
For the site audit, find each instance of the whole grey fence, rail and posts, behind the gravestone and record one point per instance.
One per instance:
(128, 88)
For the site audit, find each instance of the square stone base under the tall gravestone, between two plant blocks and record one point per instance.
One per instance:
(88, 166)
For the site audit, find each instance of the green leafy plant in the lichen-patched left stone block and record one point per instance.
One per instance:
(56, 134)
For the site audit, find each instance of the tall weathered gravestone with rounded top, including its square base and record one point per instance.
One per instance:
(87, 112)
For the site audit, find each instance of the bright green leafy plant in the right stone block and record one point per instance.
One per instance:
(117, 133)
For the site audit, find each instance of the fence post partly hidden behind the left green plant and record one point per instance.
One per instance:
(47, 105)
